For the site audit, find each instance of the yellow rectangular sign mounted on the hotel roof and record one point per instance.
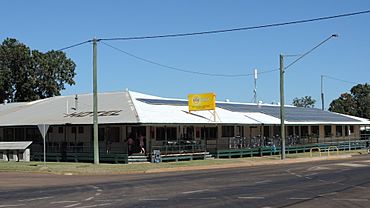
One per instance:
(198, 102)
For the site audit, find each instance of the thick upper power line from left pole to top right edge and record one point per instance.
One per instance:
(236, 29)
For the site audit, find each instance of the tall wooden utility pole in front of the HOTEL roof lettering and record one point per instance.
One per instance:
(95, 103)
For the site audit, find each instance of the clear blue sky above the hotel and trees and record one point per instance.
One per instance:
(52, 25)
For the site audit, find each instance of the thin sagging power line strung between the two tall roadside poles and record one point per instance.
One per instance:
(183, 70)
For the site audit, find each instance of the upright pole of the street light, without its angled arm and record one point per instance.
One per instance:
(282, 125)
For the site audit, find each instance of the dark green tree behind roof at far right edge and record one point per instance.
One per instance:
(356, 104)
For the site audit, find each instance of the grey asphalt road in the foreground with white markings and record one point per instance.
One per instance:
(330, 183)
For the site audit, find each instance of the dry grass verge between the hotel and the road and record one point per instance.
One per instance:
(109, 169)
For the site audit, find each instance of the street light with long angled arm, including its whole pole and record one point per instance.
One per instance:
(282, 109)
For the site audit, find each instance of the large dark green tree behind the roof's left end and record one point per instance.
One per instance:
(27, 75)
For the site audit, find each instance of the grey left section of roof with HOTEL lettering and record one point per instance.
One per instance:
(113, 108)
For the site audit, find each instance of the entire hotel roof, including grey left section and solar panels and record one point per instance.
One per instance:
(133, 107)
